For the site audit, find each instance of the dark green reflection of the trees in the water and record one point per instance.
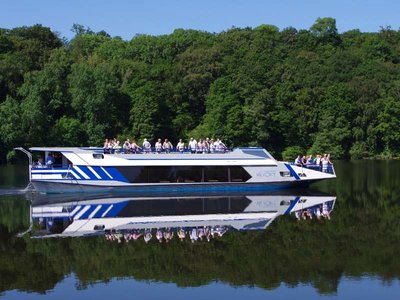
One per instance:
(362, 238)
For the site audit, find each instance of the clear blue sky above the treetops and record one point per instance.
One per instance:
(126, 18)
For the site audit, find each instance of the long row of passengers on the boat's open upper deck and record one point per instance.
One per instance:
(202, 146)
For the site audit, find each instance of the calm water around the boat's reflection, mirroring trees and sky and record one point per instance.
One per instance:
(355, 255)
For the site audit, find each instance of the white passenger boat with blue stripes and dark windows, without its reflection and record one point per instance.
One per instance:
(91, 170)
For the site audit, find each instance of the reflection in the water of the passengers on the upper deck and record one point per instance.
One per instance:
(167, 234)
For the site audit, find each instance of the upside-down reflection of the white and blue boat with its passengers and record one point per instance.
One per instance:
(195, 217)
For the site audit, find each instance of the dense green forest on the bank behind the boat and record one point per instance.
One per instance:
(291, 91)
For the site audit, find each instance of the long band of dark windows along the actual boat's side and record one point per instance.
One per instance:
(185, 174)
